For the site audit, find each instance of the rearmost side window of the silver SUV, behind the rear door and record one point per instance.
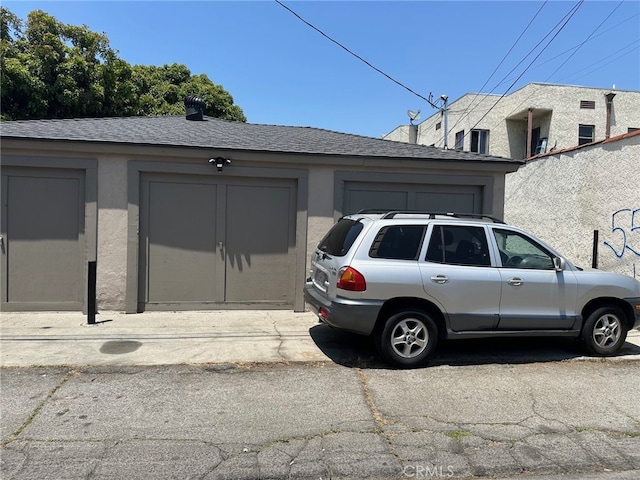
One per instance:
(398, 242)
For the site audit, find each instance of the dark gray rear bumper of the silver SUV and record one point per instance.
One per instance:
(358, 316)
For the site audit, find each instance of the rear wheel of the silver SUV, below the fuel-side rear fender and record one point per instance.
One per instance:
(408, 338)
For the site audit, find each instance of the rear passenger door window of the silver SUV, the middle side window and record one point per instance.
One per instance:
(458, 245)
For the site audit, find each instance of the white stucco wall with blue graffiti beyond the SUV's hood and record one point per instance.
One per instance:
(563, 198)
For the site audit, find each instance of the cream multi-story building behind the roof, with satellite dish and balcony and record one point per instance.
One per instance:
(537, 118)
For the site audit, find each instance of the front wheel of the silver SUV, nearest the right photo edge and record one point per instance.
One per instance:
(605, 331)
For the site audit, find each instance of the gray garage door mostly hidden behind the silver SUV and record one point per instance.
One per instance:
(425, 197)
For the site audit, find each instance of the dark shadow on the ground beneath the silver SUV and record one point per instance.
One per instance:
(357, 351)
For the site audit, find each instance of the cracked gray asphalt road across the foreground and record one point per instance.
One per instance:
(350, 418)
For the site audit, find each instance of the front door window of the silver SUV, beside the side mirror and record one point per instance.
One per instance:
(518, 251)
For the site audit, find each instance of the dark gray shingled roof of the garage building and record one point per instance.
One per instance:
(224, 134)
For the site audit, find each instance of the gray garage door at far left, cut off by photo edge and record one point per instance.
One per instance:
(42, 243)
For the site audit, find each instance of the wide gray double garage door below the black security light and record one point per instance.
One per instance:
(216, 243)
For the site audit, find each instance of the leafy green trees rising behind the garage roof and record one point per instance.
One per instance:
(53, 70)
